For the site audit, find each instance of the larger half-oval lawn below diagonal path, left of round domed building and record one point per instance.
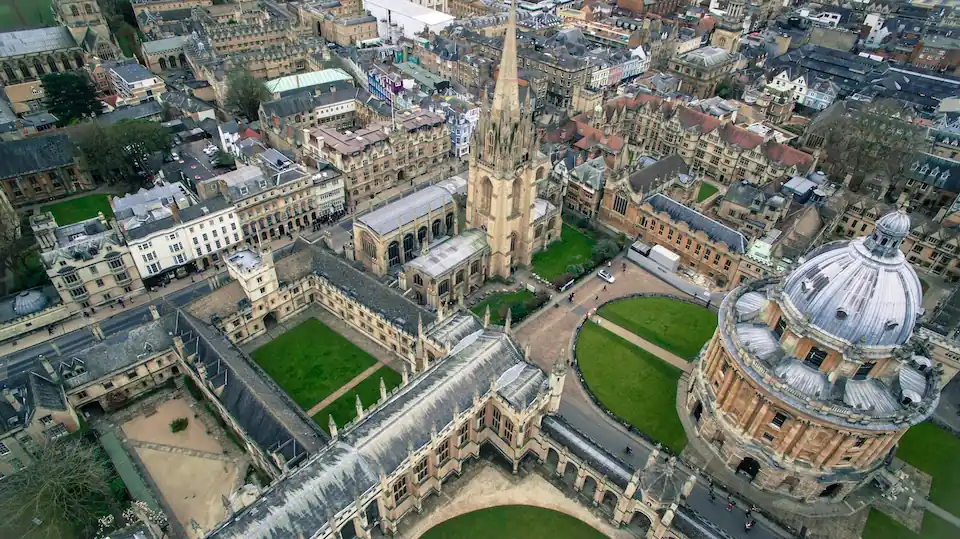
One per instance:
(632, 383)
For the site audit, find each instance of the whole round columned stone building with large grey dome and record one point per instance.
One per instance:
(810, 380)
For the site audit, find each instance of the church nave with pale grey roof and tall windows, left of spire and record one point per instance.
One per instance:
(397, 232)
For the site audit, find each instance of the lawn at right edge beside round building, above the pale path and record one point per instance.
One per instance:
(933, 450)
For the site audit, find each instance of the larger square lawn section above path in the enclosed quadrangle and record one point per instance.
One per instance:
(312, 361)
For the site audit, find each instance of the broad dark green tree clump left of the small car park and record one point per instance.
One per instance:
(118, 152)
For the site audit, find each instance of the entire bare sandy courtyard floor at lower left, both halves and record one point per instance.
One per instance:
(190, 468)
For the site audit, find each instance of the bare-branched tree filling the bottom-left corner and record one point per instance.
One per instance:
(63, 493)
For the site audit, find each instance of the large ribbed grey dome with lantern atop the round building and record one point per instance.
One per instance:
(863, 291)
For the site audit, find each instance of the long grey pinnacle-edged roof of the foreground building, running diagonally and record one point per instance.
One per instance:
(301, 504)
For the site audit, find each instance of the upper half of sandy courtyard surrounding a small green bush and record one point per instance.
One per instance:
(155, 428)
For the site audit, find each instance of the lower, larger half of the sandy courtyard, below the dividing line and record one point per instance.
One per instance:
(192, 486)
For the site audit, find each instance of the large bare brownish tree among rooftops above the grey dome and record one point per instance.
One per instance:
(875, 140)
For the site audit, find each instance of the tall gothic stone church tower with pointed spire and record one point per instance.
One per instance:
(504, 167)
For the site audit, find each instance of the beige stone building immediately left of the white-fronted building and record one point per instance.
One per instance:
(88, 262)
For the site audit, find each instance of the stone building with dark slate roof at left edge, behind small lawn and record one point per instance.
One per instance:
(39, 168)
